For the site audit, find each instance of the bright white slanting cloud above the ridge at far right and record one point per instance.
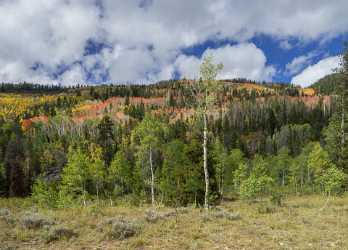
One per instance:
(317, 71)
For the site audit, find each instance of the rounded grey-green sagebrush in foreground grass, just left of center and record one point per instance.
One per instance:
(122, 229)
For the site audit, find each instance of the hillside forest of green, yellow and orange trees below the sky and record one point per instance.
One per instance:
(178, 143)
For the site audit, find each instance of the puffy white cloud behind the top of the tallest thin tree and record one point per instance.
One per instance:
(240, 61)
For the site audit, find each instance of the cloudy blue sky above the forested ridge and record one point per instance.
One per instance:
(72, 42)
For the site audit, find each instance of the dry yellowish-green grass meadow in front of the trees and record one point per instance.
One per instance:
(301, 223)
